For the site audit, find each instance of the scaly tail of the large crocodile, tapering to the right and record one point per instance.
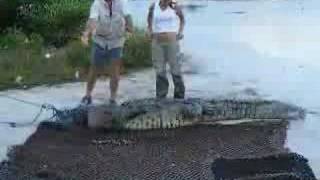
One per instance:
(236, 109)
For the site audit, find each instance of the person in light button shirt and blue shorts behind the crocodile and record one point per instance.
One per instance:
(108, 22)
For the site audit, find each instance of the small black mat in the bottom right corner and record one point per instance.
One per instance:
(286, 166)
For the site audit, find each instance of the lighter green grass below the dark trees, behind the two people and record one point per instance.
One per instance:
(23, 61)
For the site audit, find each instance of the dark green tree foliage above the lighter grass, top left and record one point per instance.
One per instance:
(57, 21)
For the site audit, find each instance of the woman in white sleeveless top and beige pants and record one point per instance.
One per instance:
(165, 27)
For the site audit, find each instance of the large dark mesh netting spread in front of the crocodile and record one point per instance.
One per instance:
(184, 153)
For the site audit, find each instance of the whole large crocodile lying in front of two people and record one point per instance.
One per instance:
(151, 113)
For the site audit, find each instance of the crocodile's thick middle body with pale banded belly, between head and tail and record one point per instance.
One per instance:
(153, 114)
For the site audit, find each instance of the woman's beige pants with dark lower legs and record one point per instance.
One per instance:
(163, 53)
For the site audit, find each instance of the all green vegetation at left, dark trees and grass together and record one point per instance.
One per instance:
(42, 45)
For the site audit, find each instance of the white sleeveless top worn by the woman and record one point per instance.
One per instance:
(164, 20)
